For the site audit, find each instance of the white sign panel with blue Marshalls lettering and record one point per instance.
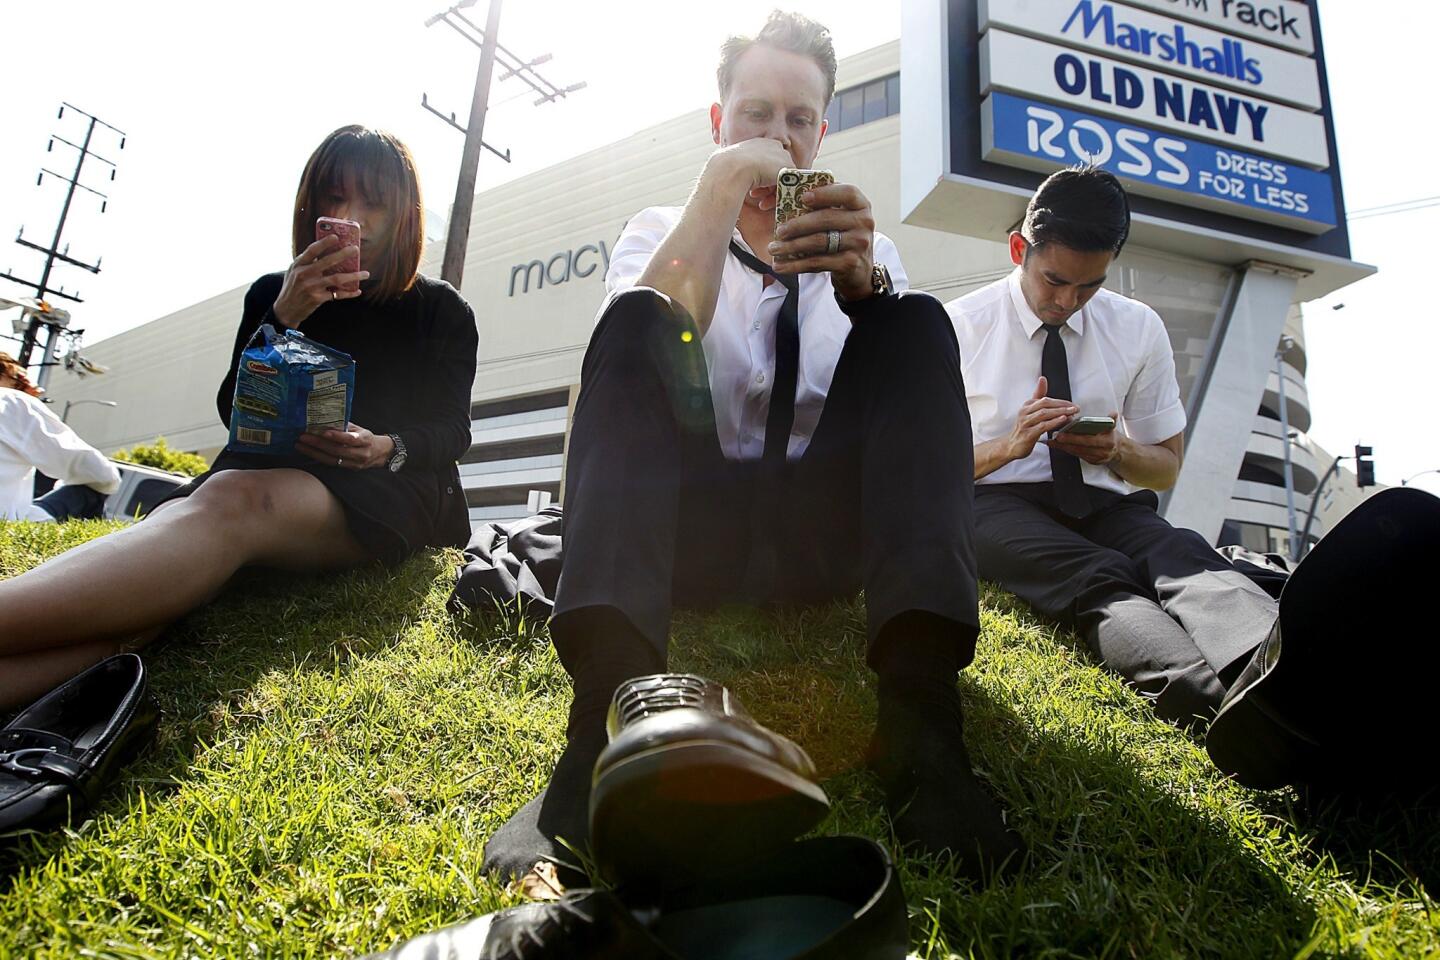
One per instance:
(1163, 44)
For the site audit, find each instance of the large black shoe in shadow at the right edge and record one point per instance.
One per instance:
(1341, 690)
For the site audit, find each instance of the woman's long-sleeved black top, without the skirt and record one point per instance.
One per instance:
(415, 362)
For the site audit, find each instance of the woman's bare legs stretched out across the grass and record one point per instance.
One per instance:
(146, 576)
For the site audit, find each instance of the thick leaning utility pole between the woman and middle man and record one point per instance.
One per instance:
(457, 240)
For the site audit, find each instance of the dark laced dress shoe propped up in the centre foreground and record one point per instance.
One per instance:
(690, 785)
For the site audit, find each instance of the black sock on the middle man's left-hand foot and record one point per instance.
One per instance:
(603, 651)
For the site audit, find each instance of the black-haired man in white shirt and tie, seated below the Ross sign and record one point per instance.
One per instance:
(1069, 523)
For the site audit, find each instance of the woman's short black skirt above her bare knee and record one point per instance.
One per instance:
(392, 516)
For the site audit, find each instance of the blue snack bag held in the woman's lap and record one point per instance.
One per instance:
(289, 385)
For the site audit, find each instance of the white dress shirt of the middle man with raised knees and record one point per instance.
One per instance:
(741, 342)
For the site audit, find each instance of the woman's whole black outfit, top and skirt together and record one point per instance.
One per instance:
(415, 363)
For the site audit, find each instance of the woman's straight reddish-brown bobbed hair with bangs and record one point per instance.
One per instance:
(384, 171)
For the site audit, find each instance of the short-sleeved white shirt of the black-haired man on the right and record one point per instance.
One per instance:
(1120, 359)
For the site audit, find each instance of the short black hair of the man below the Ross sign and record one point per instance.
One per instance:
(1081, 208)
